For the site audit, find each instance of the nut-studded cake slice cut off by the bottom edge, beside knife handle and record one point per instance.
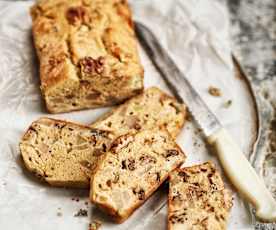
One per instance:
(198, 199)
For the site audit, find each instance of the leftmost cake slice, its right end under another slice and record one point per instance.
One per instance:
(63, 153)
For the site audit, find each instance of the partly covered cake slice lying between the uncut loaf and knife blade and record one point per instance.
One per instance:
(145, 111)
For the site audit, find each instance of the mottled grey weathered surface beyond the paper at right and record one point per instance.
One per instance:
(253, 31)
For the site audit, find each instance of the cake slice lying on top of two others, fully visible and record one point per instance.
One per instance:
(132, 170)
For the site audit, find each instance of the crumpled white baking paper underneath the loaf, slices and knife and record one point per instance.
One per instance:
(195, 33)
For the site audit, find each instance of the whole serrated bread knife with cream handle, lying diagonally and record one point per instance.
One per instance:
(233, 161)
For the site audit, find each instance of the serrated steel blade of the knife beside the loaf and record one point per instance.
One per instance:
(178, 81)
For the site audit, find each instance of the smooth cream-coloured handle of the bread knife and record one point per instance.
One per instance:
(243, 176)
